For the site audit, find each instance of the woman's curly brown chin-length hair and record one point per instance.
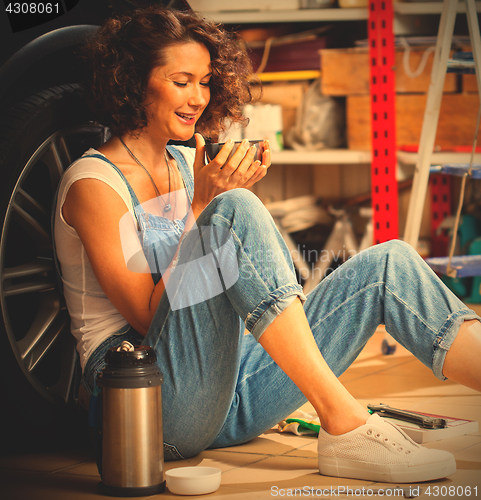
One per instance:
(123, 52)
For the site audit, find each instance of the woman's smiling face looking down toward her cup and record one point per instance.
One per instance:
(178, 92)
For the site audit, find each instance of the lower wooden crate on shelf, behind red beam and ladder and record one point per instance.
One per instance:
(457, 120)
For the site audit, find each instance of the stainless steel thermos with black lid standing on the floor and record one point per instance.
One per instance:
(132, 437)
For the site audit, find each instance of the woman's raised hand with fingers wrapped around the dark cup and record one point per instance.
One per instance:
(223, 174)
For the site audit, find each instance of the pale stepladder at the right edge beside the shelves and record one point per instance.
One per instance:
(454, 266)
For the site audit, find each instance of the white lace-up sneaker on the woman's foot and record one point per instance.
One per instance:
(380, 451)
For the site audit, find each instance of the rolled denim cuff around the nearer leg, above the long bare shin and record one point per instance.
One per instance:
(267, 311)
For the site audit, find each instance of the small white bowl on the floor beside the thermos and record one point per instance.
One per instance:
(193, 480)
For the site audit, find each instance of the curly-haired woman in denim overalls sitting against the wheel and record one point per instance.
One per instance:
(122, 211)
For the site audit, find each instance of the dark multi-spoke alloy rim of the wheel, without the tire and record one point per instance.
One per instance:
(35, 316)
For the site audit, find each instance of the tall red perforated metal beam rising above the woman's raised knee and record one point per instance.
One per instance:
(383, 119)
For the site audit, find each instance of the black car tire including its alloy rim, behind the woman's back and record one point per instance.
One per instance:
(39, 137)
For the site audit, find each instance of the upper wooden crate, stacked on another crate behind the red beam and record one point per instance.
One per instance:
(346, 72)
